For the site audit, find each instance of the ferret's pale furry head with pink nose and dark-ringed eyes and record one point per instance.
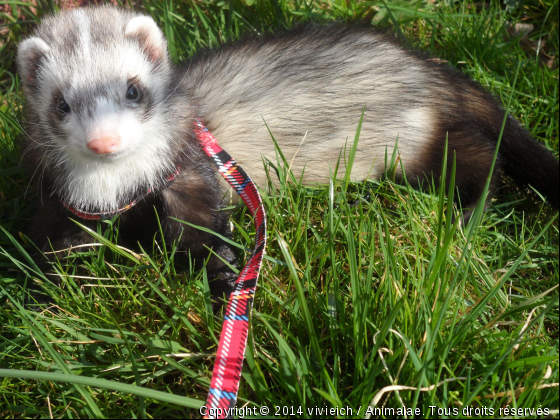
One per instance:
(97, 81)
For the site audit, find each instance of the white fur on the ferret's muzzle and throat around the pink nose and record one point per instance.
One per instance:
(103, 182)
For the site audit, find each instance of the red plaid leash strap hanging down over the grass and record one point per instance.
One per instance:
(233, 339)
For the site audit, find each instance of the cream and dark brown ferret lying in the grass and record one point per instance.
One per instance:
(110, 118)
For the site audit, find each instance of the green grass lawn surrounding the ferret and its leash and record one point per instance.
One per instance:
(364, 286)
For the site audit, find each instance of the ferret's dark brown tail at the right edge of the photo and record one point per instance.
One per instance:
(529, 162)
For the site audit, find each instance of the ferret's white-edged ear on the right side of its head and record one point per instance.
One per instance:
(150, 37)
